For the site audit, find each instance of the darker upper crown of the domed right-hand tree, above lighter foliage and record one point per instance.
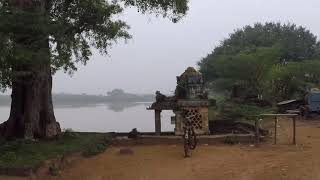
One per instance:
(293, 43)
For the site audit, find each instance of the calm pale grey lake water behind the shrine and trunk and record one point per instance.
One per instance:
(105, 117)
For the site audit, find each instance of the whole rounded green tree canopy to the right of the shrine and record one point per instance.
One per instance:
(272, 59)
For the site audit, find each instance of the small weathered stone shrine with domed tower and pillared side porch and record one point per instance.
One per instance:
(190, 100)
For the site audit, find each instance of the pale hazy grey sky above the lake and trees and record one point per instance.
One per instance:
(161, 50)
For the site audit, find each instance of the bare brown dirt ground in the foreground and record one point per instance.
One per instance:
(227, 162)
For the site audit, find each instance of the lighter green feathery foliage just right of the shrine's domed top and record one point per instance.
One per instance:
(247, 68)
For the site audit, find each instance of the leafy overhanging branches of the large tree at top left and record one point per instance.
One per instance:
(61, 33)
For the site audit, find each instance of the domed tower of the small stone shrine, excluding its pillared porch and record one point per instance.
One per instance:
(192, 101)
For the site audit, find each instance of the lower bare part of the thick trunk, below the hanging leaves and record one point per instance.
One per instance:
(31, 114)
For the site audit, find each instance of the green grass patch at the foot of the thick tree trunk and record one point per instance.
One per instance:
(28, 153)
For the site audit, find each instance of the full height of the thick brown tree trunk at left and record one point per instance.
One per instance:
(31, 114)
